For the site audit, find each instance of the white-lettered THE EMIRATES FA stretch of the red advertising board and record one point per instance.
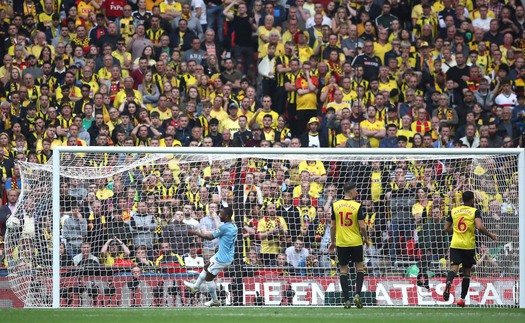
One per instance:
(391, 292)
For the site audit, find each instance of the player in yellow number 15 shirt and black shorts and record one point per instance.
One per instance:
(347, 233)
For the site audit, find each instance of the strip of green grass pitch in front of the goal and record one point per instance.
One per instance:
(265, 315)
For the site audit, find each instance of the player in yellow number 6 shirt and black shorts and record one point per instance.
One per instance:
(462, 222)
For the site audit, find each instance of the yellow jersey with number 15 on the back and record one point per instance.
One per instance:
(346, 214)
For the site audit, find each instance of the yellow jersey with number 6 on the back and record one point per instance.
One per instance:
(464, 227)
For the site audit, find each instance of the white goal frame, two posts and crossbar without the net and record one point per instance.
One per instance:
(58, 150)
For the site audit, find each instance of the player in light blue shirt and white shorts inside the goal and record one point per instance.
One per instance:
(227, 234)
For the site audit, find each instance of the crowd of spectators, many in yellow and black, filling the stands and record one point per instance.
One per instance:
(363, 73)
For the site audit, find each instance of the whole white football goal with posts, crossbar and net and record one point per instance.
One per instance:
(107, 226)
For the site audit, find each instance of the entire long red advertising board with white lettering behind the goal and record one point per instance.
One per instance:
(300, 291)
